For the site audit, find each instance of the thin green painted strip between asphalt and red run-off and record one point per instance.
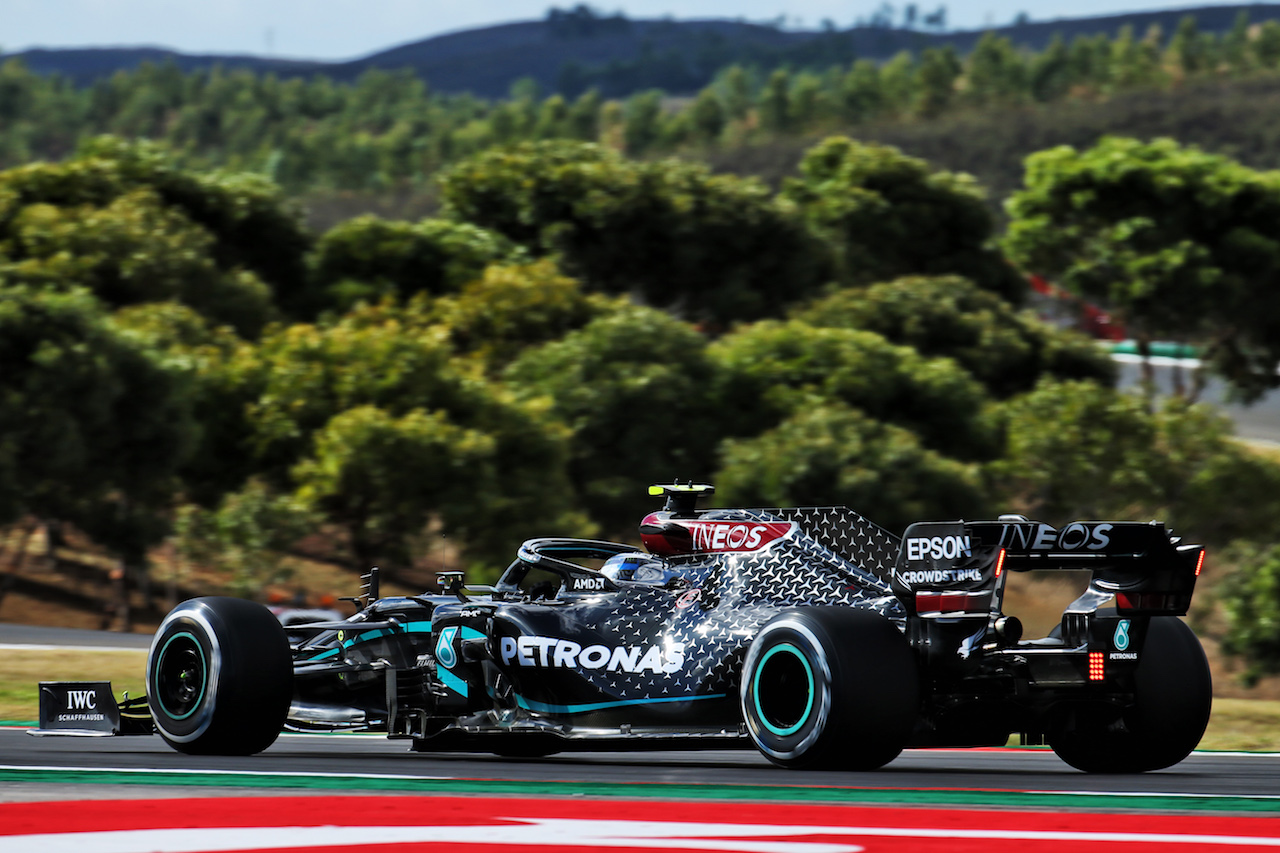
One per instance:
(657, 791)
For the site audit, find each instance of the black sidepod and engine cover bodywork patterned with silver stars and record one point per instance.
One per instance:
(737, 595)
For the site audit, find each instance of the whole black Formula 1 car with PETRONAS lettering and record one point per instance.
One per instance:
(812, 635)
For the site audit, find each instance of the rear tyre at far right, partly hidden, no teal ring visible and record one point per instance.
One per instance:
(1173, 695)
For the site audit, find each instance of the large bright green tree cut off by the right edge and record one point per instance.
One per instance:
(1178, 243)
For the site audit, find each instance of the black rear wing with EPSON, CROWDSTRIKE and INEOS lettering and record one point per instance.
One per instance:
(1148, 569)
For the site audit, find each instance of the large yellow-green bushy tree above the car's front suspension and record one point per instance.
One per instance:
(340, 403)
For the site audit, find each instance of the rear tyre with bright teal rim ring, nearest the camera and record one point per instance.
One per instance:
(830, 688)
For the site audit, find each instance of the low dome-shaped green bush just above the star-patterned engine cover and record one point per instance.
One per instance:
(835, 455)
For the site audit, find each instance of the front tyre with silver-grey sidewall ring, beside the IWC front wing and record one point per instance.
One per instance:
(220, 678)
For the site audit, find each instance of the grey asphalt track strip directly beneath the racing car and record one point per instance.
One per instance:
(1256, 777)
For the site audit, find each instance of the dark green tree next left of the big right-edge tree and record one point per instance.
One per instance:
(889, 216)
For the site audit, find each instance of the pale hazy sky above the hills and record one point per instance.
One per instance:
(353, 29)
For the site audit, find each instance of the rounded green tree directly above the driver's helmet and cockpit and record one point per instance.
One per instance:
(636, 389)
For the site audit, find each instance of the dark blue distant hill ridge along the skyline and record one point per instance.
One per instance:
(676, 56)
